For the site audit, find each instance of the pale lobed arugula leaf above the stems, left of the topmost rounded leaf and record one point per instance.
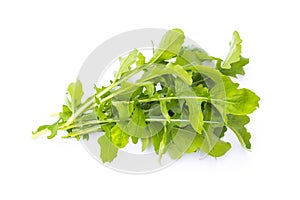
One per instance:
(126, 62)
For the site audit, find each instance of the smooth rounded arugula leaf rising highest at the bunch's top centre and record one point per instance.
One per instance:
(169, 46)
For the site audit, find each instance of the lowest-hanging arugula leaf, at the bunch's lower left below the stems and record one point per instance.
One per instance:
(108, 150)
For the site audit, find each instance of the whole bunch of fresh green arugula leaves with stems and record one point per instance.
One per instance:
(183, 101)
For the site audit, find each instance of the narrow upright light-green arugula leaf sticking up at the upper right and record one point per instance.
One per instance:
(235, 51)
